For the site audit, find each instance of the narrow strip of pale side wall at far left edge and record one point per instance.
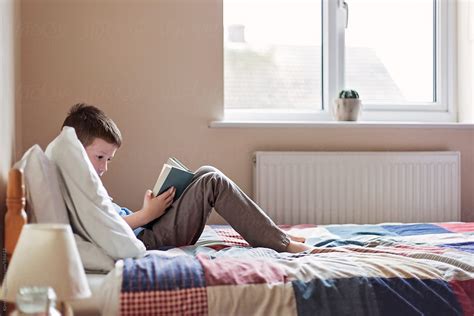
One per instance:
(9, 79)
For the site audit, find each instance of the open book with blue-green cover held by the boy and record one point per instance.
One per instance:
(173, 174)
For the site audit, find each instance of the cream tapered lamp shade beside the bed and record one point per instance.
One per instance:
(46, 255)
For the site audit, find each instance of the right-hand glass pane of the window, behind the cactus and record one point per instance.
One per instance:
(390, 50)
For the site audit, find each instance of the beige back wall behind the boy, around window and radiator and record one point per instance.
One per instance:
(156, 67)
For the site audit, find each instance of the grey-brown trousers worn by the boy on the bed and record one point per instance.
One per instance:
(184, 220)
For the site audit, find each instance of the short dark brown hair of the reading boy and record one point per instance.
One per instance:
(90, 122)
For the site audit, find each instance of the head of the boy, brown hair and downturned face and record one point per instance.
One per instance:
(98, 134)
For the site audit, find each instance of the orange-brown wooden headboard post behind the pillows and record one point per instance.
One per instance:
(15, 217)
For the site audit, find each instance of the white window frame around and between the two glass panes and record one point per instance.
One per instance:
(442, 110)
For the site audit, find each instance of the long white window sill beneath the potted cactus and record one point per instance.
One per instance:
(336, 124)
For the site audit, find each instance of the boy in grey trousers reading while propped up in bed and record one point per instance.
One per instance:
(162, 222)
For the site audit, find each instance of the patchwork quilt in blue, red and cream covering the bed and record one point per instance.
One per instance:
(386, 269)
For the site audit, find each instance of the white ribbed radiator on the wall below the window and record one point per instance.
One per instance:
(358, 187)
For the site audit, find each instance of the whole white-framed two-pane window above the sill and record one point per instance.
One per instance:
(287, 59)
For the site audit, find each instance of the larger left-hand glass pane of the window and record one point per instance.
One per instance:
(272, 54)
